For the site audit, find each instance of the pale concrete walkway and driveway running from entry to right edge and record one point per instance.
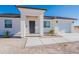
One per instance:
(68, 37)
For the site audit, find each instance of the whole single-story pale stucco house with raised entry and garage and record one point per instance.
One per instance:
(32, 22)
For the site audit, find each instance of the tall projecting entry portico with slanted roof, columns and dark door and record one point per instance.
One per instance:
(31, 21)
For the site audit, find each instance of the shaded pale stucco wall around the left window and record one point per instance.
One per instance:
(15, 26)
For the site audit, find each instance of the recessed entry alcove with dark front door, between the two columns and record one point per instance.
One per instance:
(32, 26)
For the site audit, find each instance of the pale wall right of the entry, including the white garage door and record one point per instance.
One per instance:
(63, 25)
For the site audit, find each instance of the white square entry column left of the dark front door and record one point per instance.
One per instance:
(23, 26)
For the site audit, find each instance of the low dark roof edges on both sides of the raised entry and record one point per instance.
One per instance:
(46, 17)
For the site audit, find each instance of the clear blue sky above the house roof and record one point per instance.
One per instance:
(71, 11)
